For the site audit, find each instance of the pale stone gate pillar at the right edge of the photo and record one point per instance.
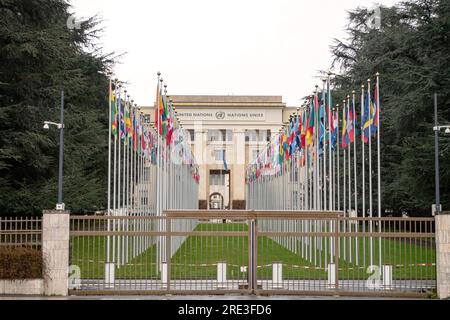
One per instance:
(443, 255)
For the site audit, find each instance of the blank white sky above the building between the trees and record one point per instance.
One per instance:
(226, 47)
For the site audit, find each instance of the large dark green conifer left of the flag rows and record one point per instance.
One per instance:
(40, 56)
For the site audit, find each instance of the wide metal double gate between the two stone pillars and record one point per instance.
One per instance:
(262, 252)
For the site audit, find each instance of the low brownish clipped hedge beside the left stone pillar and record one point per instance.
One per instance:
(18, 263)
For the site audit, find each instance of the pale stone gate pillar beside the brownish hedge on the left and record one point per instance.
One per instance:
(55, 250)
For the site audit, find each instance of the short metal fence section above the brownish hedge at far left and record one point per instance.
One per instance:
(21, 232)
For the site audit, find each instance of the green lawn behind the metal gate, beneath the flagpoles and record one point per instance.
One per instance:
(198, 256)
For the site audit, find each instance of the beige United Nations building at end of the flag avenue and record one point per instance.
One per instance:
(226, 133)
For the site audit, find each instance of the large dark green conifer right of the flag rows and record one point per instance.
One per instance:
(411, 51)
